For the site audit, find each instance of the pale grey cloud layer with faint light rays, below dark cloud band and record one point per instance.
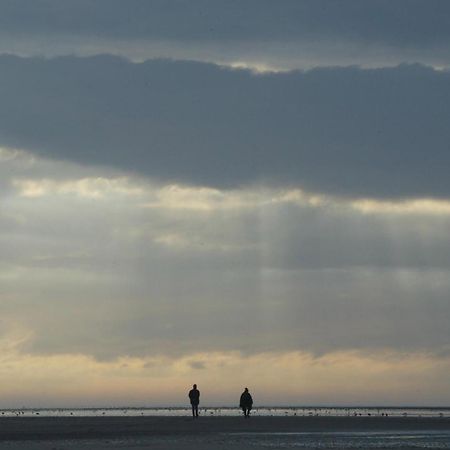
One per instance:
(111, 267)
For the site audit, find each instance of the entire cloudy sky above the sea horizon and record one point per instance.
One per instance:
(228, 193)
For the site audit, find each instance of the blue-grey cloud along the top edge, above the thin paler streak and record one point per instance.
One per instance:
(203, 19)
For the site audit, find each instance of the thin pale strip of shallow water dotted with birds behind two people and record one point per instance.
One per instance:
(226, 411)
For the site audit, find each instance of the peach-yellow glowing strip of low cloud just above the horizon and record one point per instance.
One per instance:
(336, 378)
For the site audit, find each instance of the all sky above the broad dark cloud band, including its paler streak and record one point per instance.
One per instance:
(263, 35)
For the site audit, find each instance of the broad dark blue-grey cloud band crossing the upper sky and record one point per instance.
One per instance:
(341, 131)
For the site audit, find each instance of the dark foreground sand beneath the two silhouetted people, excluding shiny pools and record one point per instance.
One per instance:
(222, 433)
